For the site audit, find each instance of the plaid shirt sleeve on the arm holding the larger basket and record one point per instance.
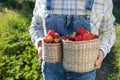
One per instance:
(107, 29)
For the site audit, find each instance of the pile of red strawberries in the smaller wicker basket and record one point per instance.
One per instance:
(52, 37)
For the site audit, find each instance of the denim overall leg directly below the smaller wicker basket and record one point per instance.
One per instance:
(53, 71)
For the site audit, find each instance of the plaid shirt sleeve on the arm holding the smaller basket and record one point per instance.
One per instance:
(36, 28)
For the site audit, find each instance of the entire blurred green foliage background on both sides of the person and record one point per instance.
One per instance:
(18, 56)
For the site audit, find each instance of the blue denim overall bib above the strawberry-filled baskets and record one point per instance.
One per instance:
(66, 24)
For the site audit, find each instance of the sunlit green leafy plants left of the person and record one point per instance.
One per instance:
(18, 56)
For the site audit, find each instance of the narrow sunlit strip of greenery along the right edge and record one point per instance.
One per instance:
(115, 75)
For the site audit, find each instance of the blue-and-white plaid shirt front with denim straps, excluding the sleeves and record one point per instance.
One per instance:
(93, 8)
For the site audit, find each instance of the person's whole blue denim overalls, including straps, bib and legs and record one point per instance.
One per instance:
(65, 25)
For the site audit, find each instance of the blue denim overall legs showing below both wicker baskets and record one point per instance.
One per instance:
(57, 72)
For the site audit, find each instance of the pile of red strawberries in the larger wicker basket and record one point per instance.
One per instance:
(80, 35)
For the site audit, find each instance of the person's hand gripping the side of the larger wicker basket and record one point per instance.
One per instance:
(99, 60)
